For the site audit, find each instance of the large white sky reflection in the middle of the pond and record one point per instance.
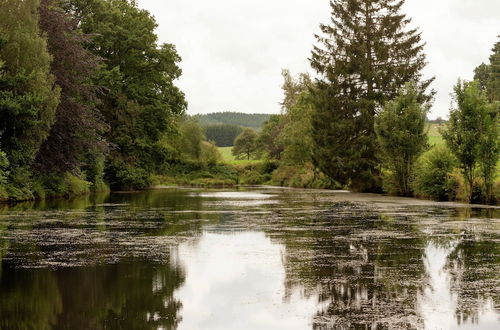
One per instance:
(236, 282)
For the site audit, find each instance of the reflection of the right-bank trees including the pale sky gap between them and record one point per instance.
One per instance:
(378, 270)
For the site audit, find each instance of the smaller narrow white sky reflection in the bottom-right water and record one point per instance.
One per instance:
(438, 303)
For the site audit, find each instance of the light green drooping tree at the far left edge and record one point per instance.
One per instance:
(28, 94)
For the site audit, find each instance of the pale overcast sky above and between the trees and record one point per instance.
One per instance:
(233, 50)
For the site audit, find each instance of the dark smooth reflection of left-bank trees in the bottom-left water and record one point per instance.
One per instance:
(131, 295)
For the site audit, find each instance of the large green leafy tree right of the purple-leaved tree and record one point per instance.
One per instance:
(139, 99)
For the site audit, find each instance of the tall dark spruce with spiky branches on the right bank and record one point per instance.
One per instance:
(364, 57)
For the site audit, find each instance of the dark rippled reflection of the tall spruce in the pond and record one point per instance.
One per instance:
(365, 268)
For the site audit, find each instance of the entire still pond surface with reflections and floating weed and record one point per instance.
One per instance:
(261, 258)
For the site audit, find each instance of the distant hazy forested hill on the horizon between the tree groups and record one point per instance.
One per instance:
(223, 127)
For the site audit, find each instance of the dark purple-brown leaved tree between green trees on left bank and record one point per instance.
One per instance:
(76, 138)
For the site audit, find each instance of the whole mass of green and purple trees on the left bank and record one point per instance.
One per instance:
(88, 99)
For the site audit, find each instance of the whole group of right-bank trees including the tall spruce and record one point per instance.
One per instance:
(362, 123)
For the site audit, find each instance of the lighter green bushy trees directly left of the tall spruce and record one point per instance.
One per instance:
(286, 141)
